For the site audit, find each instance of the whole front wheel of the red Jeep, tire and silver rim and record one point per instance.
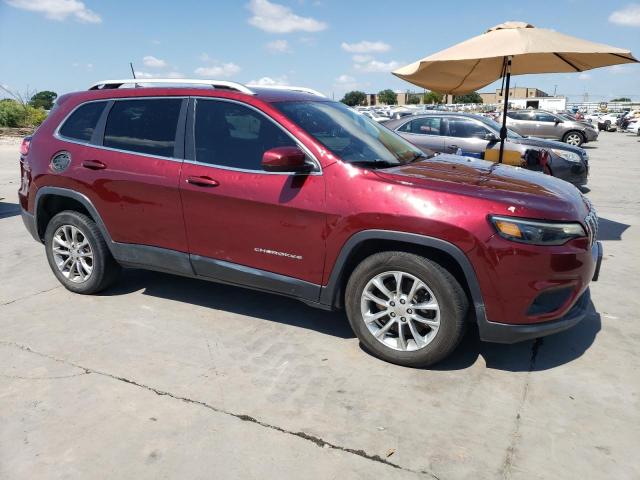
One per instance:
(406, 309)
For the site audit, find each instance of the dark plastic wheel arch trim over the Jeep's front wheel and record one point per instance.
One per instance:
(368, 242)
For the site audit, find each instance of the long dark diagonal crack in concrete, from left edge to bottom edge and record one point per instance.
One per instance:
(245, 418)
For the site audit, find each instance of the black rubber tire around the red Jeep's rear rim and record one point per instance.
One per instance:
(105, 269)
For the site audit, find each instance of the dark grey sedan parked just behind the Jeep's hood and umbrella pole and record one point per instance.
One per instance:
(473, 134)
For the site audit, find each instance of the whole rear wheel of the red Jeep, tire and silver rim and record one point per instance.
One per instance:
(78, 255)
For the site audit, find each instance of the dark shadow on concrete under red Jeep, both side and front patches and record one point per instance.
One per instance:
(532, 355)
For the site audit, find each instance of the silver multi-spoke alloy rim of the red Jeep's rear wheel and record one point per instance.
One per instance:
(72, 253)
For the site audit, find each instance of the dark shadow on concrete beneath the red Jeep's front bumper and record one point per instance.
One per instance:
(533, 355)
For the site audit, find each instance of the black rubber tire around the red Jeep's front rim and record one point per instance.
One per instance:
(450, 296)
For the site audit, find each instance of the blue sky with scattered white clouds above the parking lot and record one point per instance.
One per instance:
(330, 45)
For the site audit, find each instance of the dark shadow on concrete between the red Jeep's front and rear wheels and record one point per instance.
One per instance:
(242, 301)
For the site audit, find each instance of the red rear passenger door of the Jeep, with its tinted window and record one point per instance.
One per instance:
(130, 169)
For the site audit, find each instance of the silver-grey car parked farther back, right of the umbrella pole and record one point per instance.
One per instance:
(543, 124)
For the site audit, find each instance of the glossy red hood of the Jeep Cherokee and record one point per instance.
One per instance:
(519, 192)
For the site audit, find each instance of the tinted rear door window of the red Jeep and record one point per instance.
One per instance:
(144, 126)
